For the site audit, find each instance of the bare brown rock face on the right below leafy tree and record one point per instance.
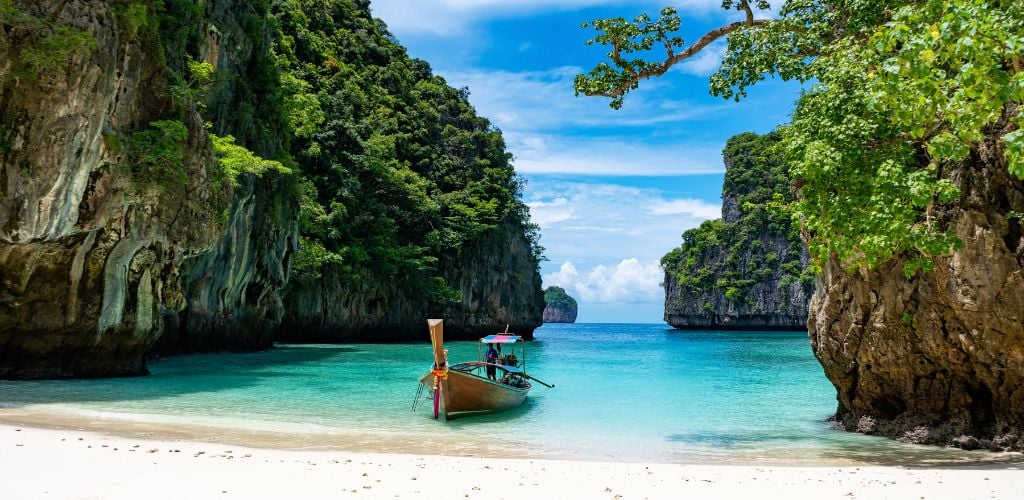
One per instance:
(938, 359)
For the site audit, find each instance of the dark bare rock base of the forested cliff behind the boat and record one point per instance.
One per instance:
(495, 285)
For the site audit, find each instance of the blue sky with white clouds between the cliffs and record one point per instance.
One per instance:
(613, 191)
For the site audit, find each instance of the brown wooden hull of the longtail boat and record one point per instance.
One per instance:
(465, 394)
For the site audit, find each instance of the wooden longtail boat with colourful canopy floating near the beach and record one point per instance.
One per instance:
(498, 383)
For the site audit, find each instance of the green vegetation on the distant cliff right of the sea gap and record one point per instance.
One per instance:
(730, 255)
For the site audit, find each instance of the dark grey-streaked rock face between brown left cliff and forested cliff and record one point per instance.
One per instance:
(234, 294)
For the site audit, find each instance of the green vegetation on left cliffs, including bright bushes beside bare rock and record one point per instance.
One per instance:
(396, 171)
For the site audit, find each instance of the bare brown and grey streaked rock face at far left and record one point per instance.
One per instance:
(94, 260)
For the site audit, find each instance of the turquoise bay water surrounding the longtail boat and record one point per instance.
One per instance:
(622, 393)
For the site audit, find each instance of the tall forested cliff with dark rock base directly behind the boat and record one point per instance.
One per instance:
(424, 221)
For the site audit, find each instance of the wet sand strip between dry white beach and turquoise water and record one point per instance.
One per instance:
(291, 437)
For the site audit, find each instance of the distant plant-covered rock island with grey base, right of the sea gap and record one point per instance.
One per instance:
(747, 271)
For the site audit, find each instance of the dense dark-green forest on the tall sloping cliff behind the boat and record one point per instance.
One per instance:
(402, 172)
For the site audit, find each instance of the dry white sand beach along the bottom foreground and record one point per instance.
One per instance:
(78, 465)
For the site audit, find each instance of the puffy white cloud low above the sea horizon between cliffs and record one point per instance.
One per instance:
(628, 282)
